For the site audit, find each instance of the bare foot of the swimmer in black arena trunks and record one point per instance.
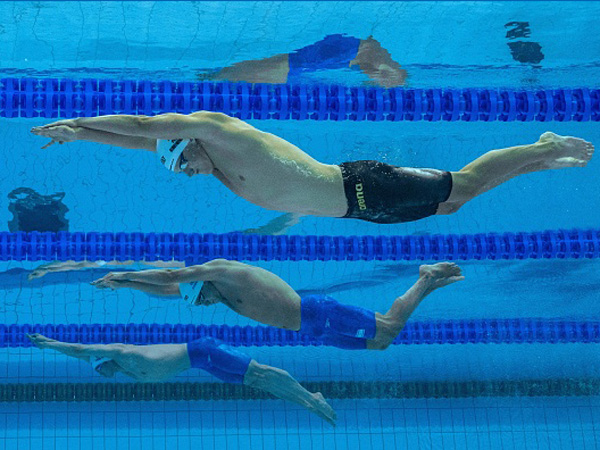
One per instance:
(565, 151)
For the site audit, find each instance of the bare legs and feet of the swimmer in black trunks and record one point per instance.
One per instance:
(496, 167)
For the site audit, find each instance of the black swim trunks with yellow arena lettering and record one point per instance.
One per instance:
(382, 193)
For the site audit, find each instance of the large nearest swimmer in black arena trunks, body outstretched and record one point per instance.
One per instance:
(275, 174)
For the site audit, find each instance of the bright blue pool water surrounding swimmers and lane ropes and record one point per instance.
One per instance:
(440, 44)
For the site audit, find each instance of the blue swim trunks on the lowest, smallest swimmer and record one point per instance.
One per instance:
(218, 359)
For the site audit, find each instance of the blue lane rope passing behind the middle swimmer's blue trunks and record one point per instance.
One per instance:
(476, 331)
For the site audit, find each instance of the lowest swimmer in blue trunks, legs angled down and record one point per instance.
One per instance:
(156, 363)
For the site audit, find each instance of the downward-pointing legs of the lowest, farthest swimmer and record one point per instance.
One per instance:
(282, 385)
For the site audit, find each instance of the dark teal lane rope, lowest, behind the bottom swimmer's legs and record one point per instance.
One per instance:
(190, 391)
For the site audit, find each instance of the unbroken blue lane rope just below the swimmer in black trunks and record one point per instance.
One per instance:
(34, 246)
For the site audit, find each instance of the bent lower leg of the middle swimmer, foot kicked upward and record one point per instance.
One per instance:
(391, 323)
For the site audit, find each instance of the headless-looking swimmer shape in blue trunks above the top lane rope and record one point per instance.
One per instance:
(335, 51)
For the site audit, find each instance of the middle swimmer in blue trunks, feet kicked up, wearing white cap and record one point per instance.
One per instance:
(262, 296)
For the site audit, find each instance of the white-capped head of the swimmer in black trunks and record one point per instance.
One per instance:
(184, 156)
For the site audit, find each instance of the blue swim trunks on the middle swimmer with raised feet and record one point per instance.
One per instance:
(343, 326)
